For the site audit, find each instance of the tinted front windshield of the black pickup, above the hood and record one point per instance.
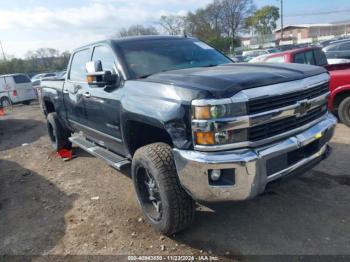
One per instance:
(144, 58)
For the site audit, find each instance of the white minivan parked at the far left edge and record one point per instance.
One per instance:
(16, 88)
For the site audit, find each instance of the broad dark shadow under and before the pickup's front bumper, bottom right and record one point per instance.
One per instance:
(306, 214)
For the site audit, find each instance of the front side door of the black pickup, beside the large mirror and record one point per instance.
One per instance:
(103, 104)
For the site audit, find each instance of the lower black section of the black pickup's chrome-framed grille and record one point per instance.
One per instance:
(281, 126)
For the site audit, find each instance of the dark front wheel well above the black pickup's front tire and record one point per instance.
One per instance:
(140, 134)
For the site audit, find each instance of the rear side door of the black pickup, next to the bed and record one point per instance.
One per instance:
(75, 88)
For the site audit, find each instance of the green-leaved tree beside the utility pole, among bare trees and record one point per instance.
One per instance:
(263, 21)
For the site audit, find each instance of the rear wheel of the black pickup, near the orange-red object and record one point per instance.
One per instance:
(57, 133)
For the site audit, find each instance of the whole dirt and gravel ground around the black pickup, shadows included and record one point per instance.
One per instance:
(84, 207)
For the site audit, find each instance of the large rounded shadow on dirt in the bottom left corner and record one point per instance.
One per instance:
(32, 211)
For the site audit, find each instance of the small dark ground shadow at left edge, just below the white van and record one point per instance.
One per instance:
(15, 132)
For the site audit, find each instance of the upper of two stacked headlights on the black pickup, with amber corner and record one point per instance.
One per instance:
(219, 111)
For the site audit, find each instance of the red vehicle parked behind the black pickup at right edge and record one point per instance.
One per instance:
(339, 101)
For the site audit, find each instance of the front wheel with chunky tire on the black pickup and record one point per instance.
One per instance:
(166, 205)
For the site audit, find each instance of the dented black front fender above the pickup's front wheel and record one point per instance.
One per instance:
(163, 106)
